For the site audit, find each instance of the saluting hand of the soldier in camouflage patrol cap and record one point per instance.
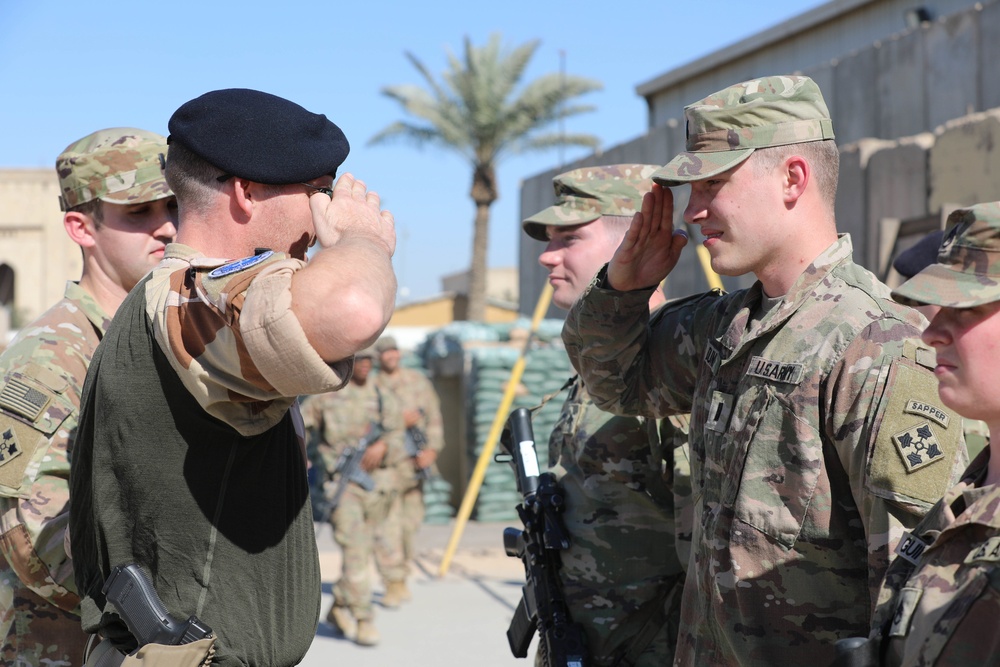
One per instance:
(651, 247)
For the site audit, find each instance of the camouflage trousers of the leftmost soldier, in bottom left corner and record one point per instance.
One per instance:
(34, 631)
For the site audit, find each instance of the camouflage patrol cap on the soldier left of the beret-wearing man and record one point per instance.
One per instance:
(120, 165)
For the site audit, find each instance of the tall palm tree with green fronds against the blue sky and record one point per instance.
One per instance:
(475, 111)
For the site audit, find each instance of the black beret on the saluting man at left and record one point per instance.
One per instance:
(259, 136)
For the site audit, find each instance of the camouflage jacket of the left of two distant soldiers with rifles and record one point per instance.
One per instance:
(338, 420)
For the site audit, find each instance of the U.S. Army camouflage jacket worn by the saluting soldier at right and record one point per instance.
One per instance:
(816, 438)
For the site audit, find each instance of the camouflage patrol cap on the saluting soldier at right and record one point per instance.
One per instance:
(726, 127)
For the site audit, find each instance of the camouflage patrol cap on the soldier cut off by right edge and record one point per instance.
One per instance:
(967, 272)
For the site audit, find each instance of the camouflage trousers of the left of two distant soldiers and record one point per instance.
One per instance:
(355, 521)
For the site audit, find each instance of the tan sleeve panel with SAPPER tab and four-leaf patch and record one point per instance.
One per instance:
(917, 442)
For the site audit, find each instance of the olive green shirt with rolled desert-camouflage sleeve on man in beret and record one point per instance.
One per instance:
(189, 458)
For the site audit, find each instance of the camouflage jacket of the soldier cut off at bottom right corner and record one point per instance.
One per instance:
(940, 604)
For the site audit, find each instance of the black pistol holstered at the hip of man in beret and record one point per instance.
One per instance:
(134, 598)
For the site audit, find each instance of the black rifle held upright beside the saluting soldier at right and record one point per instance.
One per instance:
(543, 606)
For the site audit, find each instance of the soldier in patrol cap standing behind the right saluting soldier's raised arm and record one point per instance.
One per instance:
(621, 575)
